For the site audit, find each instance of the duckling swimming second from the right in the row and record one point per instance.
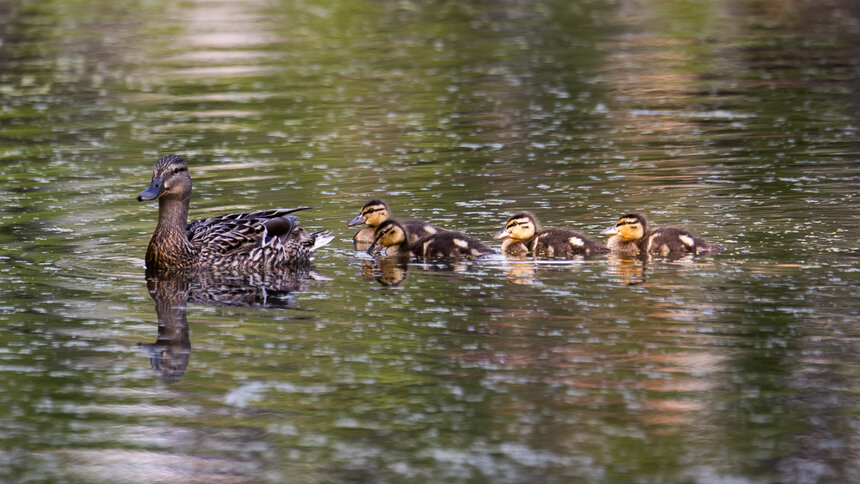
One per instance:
(522, 235)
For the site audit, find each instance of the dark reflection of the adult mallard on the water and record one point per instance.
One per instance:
(172, 290)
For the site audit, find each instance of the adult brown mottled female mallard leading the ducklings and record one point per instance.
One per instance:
(267, 239)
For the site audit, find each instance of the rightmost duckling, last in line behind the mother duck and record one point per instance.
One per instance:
(631, 235)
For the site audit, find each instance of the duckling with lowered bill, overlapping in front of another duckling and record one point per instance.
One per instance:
(445, 244)
